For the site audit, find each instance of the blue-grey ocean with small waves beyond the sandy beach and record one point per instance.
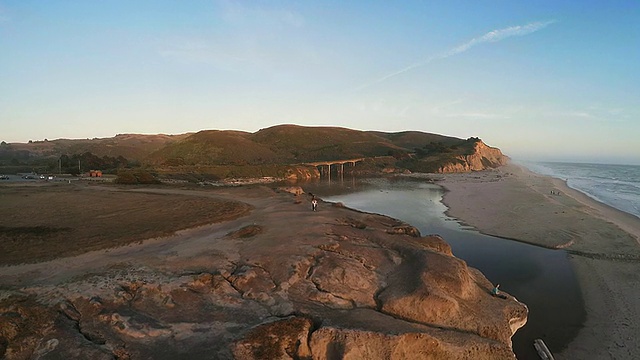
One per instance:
(615, 185)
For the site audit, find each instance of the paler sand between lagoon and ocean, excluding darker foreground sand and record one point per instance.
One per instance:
(515, 203)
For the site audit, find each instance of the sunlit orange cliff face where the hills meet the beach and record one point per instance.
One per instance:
(483, 157)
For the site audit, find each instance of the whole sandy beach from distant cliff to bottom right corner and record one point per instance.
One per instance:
(602, 244)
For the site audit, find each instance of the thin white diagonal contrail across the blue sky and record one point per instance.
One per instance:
(492, 36)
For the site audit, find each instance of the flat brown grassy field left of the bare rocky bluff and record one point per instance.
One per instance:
(40, 222)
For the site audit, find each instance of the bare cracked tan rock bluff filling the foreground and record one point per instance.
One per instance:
(281, 282)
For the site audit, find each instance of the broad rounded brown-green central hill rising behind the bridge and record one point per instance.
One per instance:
(282, 144)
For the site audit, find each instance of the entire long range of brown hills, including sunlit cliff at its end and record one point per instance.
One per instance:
(278, 151)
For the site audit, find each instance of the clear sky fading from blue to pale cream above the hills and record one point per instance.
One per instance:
(542, 80)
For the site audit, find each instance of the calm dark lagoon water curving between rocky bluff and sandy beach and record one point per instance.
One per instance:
(539, 277)
